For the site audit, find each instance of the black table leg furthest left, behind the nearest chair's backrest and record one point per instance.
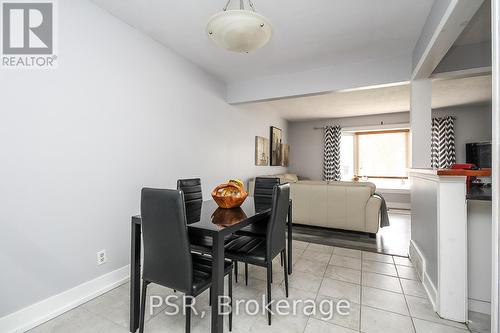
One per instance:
(135, 276)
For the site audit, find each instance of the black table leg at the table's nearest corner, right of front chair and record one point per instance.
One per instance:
(217, 288)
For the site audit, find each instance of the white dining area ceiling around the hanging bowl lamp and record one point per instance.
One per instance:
(308, 34)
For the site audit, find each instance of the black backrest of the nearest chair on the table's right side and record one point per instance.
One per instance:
(277, 223)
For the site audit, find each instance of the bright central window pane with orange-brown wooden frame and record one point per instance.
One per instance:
(381, 154)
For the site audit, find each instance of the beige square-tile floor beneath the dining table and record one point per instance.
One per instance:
(384, 292)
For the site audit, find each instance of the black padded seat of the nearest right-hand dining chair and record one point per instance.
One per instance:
(247, 249)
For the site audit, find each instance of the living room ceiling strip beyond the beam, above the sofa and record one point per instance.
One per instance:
(472, 90)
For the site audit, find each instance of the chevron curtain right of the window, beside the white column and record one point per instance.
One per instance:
(443, 142)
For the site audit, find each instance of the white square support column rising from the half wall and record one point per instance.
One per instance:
(420, 123)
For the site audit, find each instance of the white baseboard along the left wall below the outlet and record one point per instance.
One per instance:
(38, 313)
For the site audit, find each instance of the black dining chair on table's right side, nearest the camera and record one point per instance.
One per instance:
(262, 251)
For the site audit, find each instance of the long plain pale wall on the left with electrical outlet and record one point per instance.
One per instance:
(78, 143)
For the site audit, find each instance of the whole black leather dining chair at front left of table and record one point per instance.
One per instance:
(168, 260)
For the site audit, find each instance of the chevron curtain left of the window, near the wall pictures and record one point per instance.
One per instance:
(331, 161)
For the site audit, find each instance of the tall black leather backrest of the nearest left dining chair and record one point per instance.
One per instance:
(167, 256)
